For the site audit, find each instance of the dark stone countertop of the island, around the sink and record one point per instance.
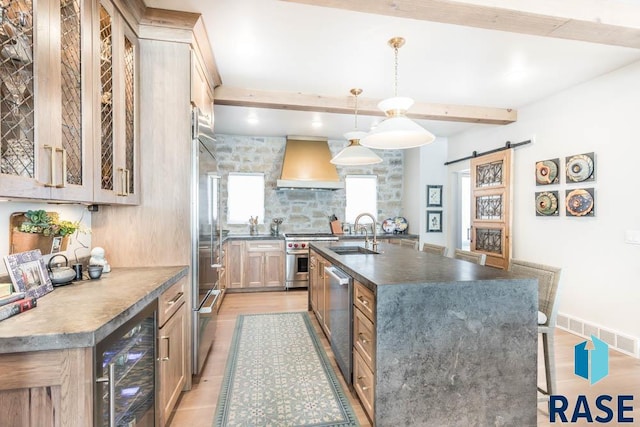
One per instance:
(401, 265)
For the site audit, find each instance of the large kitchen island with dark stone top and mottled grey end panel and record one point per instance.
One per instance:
(453, 343)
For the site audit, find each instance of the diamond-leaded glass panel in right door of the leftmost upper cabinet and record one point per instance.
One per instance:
(71, 80)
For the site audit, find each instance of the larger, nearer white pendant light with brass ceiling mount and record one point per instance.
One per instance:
(397, 131)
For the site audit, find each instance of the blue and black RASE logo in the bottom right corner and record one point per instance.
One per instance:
(592, 365)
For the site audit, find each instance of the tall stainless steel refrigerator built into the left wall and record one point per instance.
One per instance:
(206, 238)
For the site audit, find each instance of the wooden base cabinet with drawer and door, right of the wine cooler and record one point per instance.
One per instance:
(172, 348)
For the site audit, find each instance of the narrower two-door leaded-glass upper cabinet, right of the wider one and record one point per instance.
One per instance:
(116, 178)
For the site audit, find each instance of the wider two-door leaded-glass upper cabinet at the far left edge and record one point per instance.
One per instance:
(45, 129)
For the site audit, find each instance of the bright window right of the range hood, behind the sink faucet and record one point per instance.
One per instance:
(362, 196)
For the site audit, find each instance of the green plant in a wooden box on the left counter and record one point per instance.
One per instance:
(38, 229)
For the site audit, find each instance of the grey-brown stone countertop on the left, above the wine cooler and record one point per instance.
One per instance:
(83, 313)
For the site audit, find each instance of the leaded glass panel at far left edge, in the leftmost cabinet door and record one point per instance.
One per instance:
(17, 150)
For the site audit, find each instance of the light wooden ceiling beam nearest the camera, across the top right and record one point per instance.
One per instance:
(596, 21)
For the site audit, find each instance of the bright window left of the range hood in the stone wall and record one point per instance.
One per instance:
(245, 197)
